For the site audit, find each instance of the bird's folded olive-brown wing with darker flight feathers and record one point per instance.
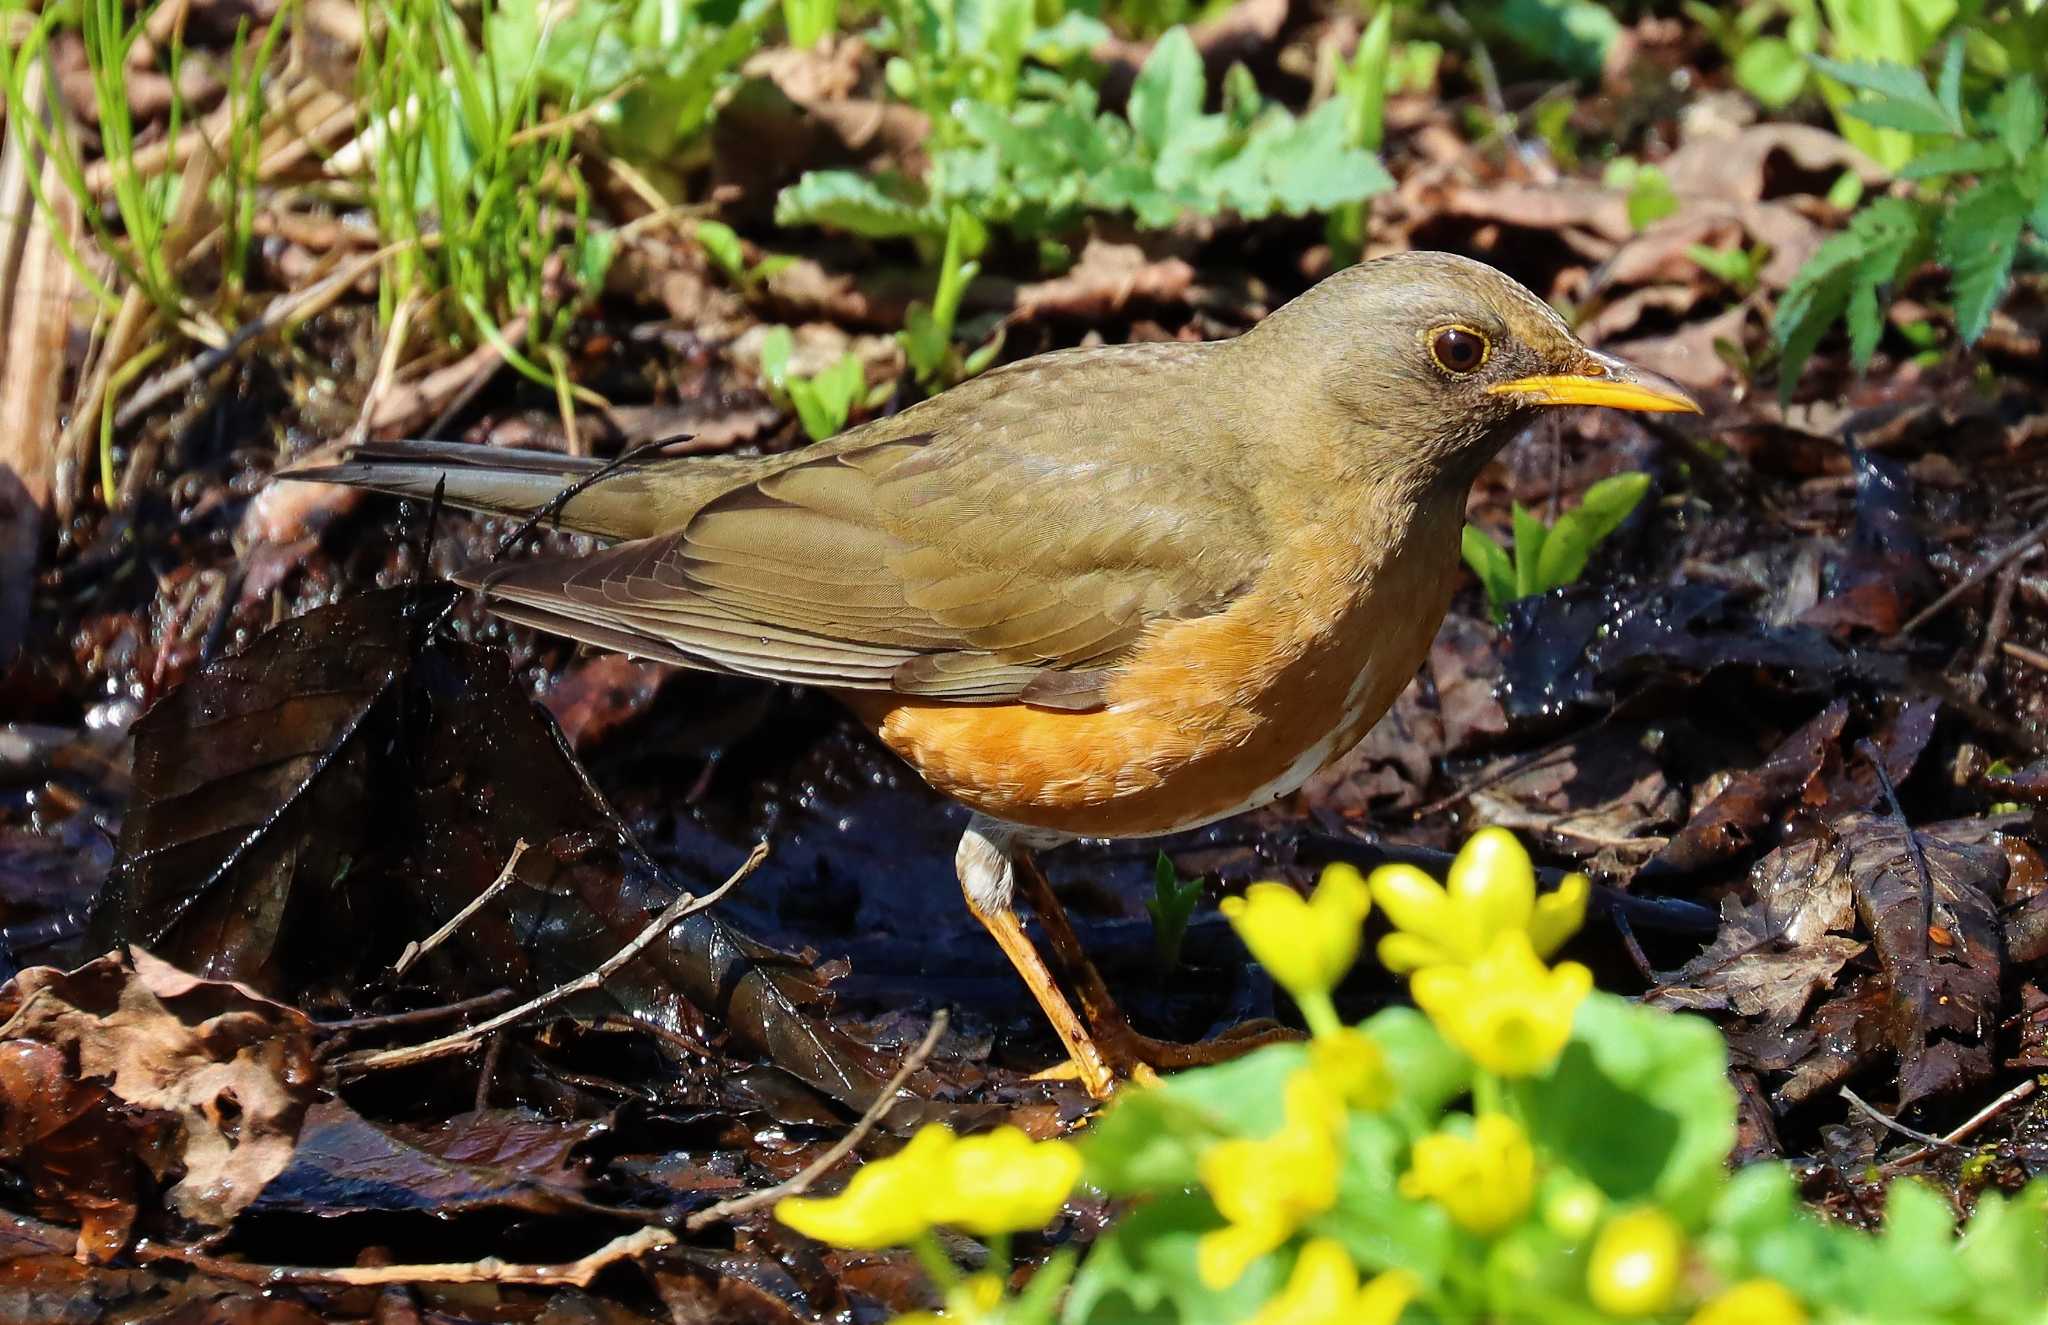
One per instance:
(1013, 552)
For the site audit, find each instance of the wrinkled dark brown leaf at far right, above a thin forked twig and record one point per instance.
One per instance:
(1938, 949)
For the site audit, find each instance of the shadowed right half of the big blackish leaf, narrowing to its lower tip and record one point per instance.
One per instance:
(493, 771)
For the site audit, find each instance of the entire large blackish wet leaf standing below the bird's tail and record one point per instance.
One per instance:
(353, 779)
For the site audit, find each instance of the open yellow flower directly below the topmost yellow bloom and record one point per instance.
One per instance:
(1506, 1011)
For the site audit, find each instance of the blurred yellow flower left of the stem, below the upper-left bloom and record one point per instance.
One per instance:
(1269, 1187)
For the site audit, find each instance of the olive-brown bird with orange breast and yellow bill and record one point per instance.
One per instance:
(1099, 593)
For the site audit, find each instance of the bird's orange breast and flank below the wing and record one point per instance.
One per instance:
(1207, 718)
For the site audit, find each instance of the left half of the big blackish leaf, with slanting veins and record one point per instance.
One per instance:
(255, 787)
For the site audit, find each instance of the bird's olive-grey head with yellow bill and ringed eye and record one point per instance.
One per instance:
(1435, 361)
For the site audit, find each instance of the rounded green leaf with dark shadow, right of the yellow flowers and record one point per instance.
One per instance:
(1666, 1076)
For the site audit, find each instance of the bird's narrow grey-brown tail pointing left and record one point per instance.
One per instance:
(499, 480)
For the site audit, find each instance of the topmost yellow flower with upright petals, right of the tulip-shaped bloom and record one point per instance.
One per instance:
(1490, 890)
